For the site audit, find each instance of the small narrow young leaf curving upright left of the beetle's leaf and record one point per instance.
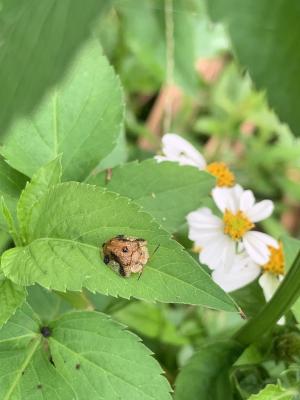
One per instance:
(45, 177)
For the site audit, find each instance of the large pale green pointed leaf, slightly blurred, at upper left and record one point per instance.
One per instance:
(80, 117)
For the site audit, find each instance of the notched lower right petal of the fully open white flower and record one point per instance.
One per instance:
(256, 245)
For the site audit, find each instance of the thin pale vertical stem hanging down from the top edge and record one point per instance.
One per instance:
(170, 45)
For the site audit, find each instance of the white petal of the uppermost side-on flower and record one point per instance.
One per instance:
(175, 148)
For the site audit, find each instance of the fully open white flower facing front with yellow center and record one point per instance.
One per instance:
(219, 238)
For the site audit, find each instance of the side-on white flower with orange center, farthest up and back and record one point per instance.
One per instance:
(177, 149)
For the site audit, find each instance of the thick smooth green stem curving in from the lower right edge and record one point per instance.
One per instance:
(286, 295)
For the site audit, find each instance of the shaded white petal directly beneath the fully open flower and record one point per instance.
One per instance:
(242, 272)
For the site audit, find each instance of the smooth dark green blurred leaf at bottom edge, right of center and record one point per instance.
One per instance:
(206, 375)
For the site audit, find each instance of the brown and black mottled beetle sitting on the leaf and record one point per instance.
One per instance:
(126, 255)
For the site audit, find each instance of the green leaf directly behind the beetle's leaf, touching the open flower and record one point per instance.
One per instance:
(167, 191)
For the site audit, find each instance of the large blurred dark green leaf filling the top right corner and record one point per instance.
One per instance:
(264, 39)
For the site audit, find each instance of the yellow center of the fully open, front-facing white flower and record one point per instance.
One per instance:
(236, 225)
